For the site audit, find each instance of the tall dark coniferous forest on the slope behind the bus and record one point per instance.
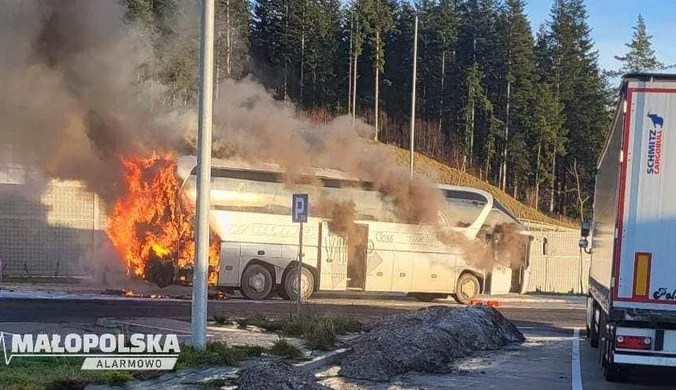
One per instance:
(524, 110)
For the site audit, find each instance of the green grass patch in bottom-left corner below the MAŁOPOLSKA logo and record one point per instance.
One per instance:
(55, 373)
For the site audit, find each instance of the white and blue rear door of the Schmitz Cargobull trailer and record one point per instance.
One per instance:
(644, 274)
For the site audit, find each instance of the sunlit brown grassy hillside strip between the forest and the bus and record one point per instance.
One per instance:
(447, 175)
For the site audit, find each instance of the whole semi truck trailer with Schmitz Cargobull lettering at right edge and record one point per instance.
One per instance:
(631, 305)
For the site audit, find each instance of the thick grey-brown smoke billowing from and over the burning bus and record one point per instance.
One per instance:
(74, 98)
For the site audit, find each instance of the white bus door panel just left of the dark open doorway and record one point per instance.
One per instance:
(333, 260)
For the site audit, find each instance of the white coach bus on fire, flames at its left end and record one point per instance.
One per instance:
(353, 238)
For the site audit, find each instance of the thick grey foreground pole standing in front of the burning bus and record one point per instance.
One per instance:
(199, 292)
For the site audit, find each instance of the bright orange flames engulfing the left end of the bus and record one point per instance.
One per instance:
(154, 221)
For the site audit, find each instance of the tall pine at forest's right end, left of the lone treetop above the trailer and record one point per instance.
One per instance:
(581, 88)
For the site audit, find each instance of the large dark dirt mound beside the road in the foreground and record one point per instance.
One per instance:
(427, 340)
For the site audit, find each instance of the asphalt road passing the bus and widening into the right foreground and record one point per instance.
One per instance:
(550, 358)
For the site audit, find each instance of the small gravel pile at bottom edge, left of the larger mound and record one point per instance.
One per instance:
(276, 375)
